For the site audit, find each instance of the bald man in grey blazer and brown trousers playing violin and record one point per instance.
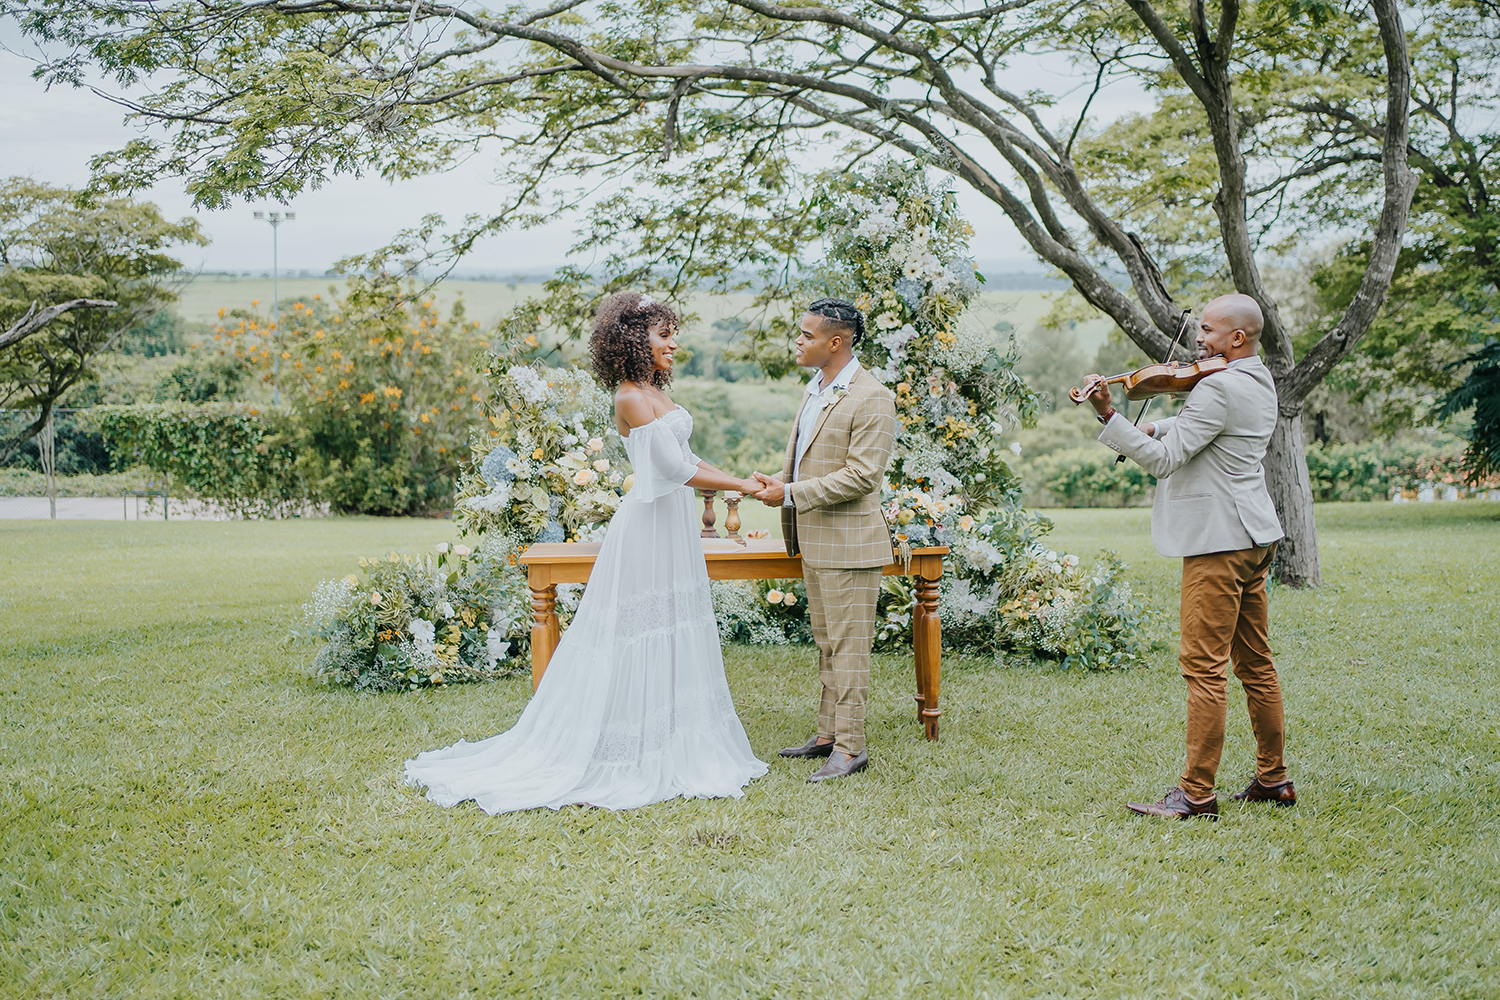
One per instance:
(1214, 512)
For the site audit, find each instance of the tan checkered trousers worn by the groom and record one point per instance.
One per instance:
(841, 605)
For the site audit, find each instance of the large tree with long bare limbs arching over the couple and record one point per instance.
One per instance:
(716, 110)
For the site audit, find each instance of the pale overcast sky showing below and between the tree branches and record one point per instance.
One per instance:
(52, 134)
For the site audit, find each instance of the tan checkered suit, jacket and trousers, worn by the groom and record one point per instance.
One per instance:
(841, 531)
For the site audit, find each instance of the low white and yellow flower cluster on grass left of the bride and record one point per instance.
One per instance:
(410, 623)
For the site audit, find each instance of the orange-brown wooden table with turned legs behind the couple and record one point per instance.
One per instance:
(550, 564)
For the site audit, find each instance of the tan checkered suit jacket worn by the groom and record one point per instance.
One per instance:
(838, 522)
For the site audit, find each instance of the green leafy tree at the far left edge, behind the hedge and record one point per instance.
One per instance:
(98, 265)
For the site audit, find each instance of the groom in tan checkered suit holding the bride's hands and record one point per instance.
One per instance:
(830, 499)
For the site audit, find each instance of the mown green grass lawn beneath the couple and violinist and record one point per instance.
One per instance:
(188, 816)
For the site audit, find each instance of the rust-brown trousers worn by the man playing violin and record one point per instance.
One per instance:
(1226, 618)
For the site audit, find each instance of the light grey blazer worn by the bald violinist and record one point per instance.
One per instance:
(1211, 493)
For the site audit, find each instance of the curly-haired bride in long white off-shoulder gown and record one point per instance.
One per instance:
(634, 707)
